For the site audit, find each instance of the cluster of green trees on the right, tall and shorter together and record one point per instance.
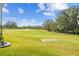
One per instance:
(67, 21)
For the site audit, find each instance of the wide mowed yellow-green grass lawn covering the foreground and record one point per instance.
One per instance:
(28, 43)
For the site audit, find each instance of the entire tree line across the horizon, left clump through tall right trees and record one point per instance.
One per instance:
(66, 21)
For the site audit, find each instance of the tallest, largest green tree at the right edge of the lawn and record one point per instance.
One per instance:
(68, 20)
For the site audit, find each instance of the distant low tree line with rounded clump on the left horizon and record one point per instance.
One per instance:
(13, 25)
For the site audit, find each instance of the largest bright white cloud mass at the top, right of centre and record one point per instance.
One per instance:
(49, 8)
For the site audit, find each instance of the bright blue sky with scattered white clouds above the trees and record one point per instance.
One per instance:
(25, 14)
